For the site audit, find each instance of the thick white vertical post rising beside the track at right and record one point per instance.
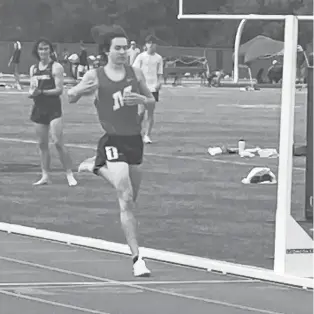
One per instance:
(286, 140)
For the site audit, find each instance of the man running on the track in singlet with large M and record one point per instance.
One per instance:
(119, 90)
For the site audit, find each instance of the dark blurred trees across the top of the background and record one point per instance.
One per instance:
(72, 20)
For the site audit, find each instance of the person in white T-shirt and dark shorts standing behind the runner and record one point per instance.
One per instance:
(151, 64)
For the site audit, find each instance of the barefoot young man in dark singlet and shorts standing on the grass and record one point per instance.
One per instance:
(46, 89)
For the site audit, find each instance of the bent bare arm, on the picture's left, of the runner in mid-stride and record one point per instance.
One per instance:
(88, 85)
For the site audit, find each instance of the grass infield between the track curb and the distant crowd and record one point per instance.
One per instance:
(190, 202)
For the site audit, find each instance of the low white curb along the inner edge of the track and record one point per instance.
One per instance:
(163, 256)
